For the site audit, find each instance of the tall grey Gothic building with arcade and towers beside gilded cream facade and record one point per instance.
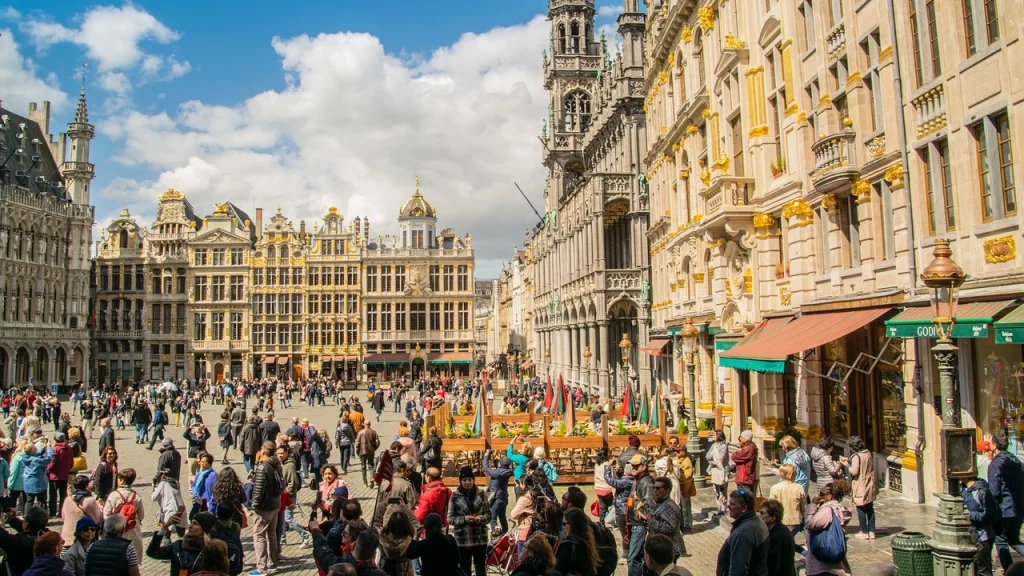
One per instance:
(591, 259)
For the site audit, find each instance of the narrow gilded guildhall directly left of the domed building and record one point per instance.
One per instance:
(334, 297)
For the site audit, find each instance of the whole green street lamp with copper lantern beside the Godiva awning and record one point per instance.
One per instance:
(953, 547)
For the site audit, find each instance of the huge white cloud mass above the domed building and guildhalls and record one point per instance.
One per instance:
(353, 127)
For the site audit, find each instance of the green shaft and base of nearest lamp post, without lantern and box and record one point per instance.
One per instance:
(953, 546)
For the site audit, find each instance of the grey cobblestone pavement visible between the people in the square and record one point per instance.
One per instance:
(868, 558)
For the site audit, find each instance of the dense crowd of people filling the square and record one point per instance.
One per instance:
(68, 518)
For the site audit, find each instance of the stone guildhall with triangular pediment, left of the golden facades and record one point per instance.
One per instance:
(220, 316)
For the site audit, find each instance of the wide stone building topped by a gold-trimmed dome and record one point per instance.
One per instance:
(418, 298)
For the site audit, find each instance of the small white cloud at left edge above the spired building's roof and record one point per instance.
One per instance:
(21, 81)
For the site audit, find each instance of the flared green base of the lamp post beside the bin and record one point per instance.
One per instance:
(953, 546)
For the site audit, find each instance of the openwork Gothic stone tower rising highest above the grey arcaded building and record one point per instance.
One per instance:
(572, 68)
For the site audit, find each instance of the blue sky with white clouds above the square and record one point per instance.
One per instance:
(304, 106)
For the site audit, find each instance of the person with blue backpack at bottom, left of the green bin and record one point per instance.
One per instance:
(826, 537)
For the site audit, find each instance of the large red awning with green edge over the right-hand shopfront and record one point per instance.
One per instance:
(767, 348)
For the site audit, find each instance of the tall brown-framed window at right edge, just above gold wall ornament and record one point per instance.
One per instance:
(996, 168)
